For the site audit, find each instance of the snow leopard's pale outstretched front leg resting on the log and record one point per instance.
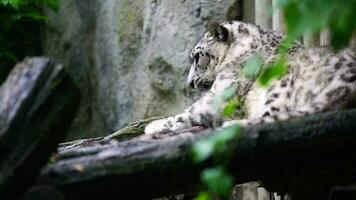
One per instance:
(201, 113)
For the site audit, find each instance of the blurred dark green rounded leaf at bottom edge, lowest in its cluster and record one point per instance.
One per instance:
(218, 181)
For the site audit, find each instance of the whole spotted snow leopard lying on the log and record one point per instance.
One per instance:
(317, 80)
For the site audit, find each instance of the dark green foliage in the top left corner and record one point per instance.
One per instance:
(20, 22)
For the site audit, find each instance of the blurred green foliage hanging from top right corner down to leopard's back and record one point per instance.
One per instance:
(309, 17)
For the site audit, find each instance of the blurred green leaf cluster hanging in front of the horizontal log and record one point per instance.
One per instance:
(219, 149)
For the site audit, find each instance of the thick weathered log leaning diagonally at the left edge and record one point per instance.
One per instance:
(38, 102)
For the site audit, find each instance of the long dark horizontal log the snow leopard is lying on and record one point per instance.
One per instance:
(302, 156)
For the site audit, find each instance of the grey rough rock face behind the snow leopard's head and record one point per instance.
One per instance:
(129, 57)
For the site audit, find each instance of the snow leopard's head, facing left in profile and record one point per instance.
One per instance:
(221, 44)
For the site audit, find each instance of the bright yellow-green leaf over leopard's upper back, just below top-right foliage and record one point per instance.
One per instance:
(272, 72)
